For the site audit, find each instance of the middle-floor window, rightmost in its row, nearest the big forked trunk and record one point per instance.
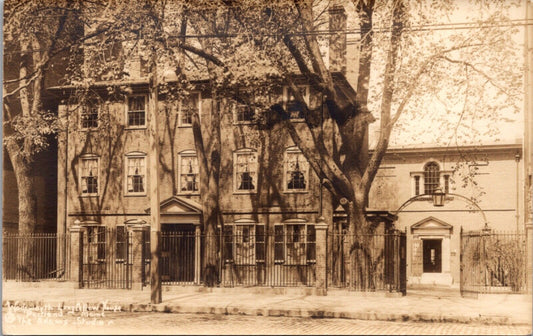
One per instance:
(296, 170)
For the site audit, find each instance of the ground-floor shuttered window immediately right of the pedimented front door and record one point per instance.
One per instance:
(244, 243)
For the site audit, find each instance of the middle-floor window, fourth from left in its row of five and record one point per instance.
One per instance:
(245, 170)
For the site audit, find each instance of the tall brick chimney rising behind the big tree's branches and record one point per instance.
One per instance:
(337, 38)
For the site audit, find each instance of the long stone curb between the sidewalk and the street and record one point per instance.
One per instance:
(276, 312)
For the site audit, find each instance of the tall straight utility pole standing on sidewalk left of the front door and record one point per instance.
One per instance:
(153, 156)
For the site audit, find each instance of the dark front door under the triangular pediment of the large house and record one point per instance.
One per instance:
(177, 253)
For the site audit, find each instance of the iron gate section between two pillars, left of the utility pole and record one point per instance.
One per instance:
(106, 258)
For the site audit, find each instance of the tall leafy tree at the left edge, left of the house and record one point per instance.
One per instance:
(37, 36)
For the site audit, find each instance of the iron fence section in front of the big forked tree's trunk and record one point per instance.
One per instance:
(371, 262)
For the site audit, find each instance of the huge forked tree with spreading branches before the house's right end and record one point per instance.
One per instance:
(404, 66)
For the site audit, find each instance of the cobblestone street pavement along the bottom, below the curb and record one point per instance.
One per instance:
(22, 322)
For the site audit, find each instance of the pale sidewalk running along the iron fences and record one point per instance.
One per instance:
(419, 305)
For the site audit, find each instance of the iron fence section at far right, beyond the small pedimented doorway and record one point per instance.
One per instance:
(493, 262)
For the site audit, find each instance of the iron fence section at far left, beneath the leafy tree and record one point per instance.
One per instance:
(36, 256)
